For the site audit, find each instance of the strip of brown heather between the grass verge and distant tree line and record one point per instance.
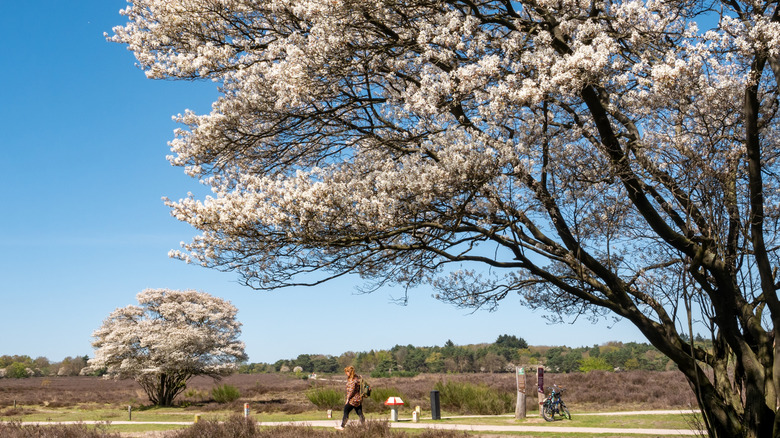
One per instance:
(276, 393)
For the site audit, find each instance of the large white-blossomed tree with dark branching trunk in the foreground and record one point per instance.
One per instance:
(609, 158)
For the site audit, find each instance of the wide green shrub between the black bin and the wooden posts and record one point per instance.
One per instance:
(467, 398)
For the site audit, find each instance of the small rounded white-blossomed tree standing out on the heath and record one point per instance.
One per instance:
(170, 337)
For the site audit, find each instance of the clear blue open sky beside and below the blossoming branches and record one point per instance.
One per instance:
(83, 229)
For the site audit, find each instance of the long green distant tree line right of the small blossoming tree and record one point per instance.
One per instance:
(503, 355)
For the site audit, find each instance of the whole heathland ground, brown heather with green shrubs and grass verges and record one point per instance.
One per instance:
(287, 397)
